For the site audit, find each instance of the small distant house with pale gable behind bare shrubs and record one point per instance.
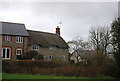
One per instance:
(81, 56)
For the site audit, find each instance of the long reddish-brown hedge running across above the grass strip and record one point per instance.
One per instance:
(52, 68)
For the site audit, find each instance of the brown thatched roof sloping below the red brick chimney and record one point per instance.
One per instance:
(45, 39)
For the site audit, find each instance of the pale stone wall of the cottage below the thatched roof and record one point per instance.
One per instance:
(53, 53)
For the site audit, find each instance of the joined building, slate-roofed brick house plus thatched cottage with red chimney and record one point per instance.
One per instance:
(16, 40)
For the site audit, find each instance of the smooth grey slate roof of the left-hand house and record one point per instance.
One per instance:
(9, 28)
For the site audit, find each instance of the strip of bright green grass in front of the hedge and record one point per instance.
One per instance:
(7, 77)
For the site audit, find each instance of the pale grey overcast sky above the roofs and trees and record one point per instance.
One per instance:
(76, 17)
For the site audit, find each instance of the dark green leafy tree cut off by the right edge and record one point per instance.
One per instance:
(115, 30)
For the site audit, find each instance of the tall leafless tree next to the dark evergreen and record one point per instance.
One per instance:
(100, 38)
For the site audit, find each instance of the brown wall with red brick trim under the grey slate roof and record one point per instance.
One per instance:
(13, 45)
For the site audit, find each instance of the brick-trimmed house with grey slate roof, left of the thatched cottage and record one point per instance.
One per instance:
(14, 38)
